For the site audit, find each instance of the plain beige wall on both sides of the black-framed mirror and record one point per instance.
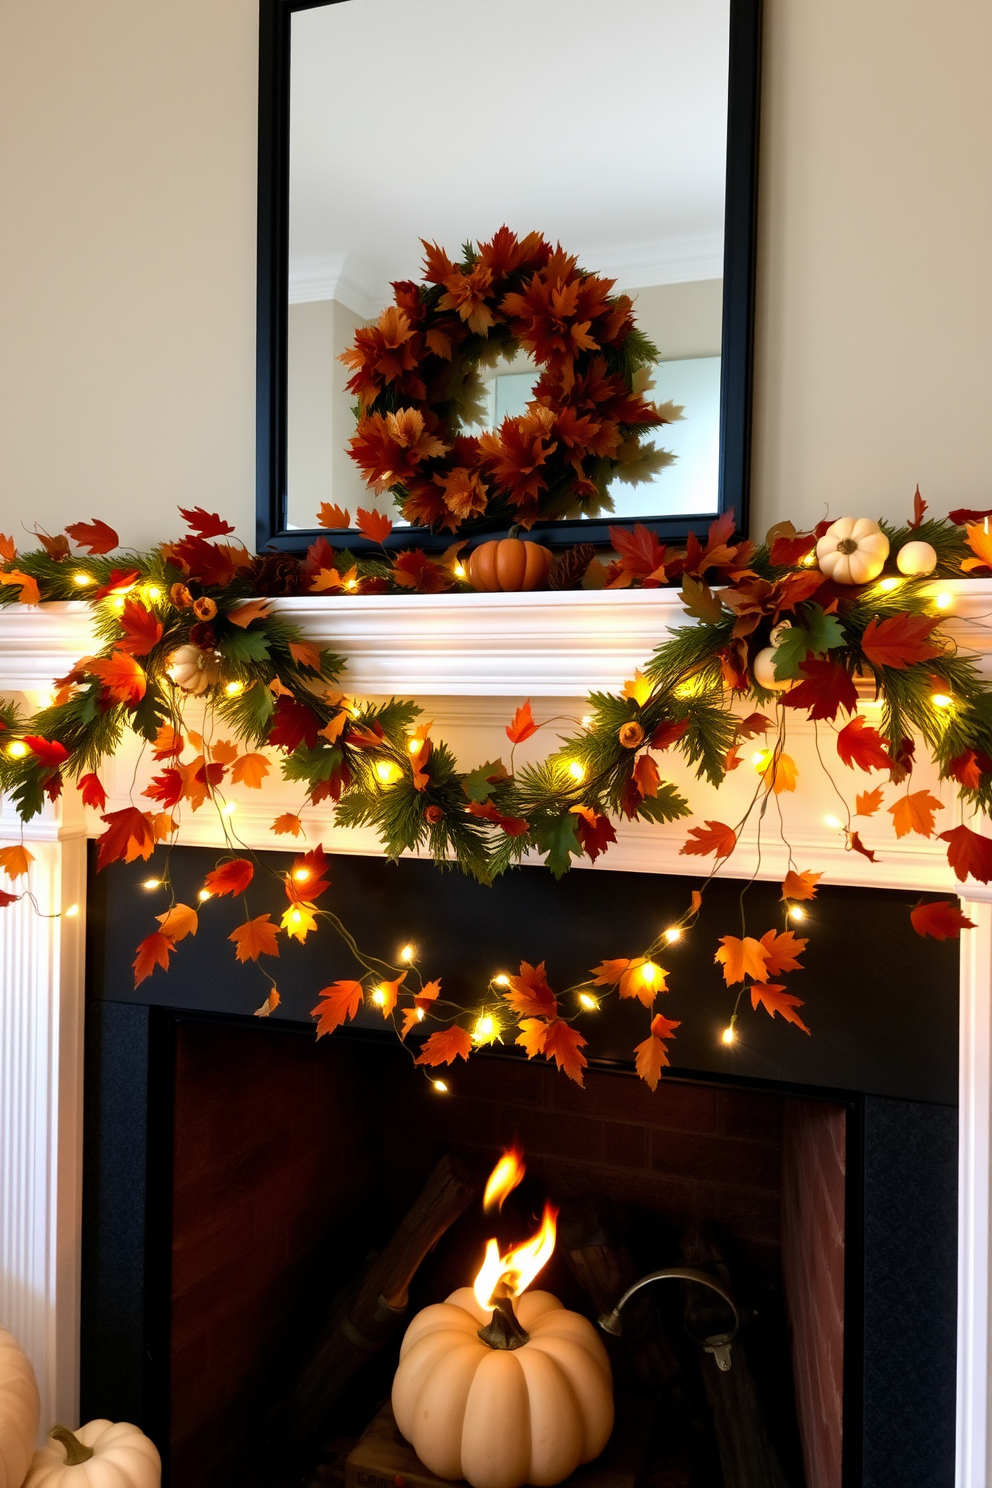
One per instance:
(127, 260)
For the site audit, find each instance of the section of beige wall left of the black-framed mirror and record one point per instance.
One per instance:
(127, 263)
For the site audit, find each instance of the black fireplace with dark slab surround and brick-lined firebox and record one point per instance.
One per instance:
(239, 1172)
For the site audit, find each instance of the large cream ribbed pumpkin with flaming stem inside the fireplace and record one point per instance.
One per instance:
(503, 1417)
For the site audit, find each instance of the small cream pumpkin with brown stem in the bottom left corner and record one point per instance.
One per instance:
(102, 1455)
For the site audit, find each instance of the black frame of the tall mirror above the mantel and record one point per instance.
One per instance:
(273, 300)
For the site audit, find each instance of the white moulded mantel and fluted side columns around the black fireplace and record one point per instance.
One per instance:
(471, 661)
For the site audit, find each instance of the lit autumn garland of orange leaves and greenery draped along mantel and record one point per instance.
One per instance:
(187, 621)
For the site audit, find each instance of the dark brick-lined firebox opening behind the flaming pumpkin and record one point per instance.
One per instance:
(294, 1161)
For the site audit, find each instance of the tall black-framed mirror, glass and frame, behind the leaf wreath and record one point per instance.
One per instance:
(628, 135)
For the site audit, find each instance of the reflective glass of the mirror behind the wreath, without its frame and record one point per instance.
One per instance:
(602, 127)
